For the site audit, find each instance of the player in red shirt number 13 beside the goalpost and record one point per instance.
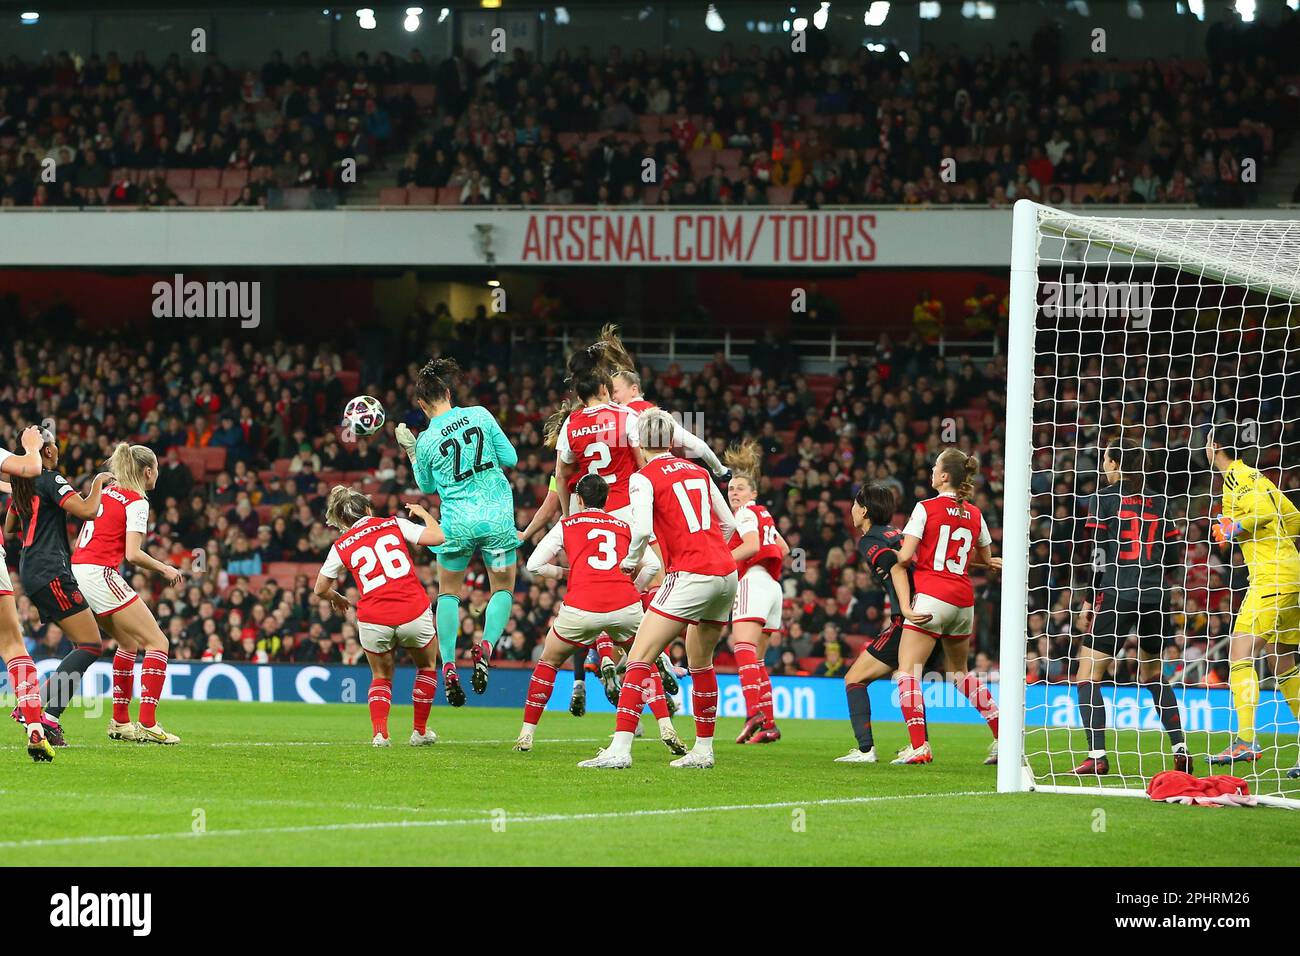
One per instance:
(944, 537)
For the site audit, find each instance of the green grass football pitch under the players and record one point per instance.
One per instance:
(301, 785)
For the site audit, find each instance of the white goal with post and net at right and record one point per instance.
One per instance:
(1154, 331)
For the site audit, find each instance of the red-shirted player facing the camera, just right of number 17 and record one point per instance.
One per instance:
(760, 552)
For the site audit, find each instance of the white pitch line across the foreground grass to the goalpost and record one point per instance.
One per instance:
(479, 821)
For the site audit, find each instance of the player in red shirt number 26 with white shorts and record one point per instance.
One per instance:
(393, 607)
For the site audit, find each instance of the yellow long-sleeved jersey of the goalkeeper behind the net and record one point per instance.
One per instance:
(1269, 526)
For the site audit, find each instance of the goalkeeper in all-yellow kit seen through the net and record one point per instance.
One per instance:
(1260, 520)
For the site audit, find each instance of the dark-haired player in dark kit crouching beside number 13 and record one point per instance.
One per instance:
(873, 513)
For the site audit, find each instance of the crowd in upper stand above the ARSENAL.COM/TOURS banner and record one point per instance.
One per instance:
(824, 128)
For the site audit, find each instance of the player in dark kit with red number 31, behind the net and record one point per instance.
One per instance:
(1134, 546)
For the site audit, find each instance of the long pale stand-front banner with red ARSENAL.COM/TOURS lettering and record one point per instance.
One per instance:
(476, 236)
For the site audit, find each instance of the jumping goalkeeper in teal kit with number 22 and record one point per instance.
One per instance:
(461, 457)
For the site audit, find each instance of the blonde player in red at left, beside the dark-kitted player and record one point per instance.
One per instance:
(114, 537)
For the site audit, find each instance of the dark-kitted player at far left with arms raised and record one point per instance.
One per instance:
(38, 512)
